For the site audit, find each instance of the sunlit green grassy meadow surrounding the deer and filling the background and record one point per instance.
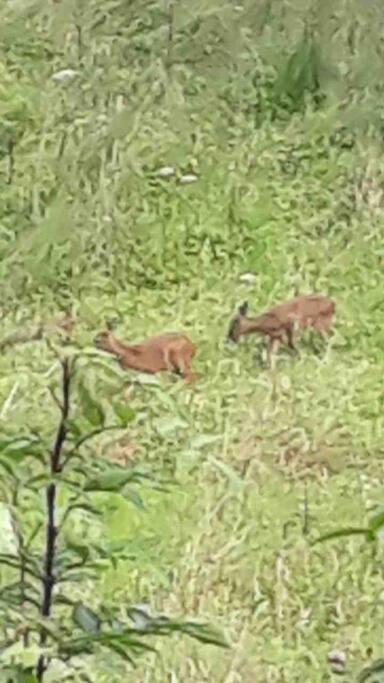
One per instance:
(258, 463)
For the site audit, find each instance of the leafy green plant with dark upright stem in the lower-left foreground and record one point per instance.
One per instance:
(44, 622)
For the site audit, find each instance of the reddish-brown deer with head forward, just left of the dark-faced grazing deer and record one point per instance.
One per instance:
(170, 351)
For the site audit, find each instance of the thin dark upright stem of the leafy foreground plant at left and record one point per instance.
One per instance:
(49, 578)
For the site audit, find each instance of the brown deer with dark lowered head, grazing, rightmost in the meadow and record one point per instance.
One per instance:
(303, 311)
